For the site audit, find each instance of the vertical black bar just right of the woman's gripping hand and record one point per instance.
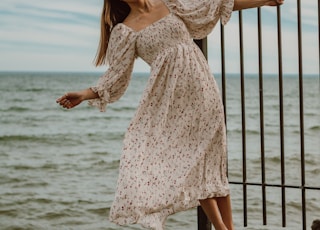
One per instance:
(303, 191)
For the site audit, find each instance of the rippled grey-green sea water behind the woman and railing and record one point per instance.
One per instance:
(58, 168)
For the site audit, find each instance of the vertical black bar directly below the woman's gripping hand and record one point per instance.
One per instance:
(283, 181)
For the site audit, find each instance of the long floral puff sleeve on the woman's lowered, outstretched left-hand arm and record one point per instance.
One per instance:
(120, 58)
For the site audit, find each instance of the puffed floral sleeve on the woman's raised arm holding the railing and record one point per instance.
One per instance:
(201, 16)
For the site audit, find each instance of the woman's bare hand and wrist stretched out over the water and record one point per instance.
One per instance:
(72, 99)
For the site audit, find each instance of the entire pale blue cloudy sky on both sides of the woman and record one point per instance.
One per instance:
(42, 35)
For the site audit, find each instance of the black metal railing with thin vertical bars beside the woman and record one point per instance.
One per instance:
(203, 223)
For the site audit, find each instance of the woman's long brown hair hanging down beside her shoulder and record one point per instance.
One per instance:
(113, 12)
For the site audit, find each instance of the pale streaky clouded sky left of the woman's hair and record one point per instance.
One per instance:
(51, 29)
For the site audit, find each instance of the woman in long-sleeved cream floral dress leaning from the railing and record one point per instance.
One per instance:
(174, 154)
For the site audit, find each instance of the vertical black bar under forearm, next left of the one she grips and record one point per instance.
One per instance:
(262, 148)
